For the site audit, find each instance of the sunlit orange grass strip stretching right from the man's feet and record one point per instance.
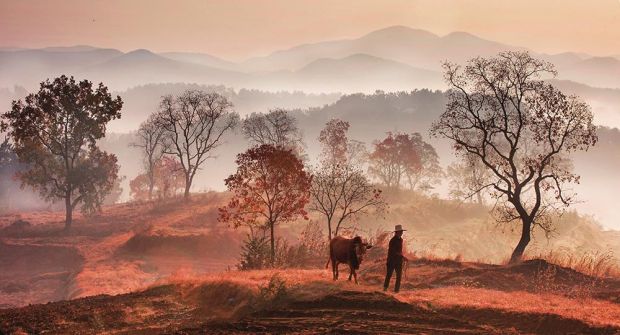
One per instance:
(593, 311)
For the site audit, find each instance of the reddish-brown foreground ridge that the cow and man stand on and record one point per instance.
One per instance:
(309, 302)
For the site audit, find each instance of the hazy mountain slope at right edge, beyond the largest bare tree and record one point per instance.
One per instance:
(594, 71)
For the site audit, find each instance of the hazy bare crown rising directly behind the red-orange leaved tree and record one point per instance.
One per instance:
(276, 128)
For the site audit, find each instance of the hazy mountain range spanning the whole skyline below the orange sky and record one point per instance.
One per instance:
(394, 58)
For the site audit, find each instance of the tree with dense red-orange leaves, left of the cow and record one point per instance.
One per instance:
(269, 187)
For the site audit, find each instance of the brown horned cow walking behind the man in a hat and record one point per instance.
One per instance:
(346, 250)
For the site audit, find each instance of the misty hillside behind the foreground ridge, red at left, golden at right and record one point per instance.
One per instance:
(130, 246)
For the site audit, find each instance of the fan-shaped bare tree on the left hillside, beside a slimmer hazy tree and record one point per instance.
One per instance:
(194, 124)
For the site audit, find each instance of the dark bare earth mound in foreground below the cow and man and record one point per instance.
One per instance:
(357, 312)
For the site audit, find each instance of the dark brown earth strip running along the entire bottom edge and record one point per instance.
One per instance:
(163, 310)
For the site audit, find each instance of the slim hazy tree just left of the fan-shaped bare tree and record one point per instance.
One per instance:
(151, 142)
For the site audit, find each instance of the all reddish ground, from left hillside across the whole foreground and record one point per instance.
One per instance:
(169, 268)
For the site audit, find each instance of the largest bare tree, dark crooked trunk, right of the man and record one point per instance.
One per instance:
(521, 129)
